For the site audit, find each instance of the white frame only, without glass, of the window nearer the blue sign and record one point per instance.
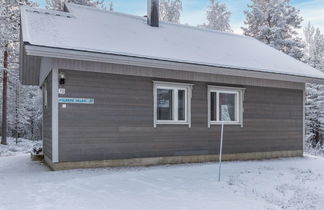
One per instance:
(175, 87)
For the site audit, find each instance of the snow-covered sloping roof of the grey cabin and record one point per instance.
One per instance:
(95, 30)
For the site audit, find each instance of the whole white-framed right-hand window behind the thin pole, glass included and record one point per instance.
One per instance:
(225, 105)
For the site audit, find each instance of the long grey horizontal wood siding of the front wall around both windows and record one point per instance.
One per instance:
(120, 123)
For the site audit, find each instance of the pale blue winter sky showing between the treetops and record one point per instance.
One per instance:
(194, 10)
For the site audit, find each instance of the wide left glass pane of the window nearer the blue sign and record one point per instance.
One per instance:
(164, 104)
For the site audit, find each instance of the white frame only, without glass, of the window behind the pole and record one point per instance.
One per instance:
(239, 98)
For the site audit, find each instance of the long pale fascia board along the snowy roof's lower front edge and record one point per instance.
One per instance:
(165, 64)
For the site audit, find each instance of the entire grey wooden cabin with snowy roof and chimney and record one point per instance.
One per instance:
(121, 90)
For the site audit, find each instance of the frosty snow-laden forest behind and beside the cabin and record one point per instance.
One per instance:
(274, 22)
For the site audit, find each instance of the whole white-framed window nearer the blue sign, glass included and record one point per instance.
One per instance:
(172, 103)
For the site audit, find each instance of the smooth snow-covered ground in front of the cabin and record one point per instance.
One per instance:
(291, 184)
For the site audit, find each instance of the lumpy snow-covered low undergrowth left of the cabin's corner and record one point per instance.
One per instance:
(23, 146)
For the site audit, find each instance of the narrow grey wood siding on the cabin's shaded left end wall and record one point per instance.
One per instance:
(47, 115)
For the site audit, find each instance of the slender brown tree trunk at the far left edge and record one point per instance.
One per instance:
(5, 96)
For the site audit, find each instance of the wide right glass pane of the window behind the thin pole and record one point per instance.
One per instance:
(227, 106)
